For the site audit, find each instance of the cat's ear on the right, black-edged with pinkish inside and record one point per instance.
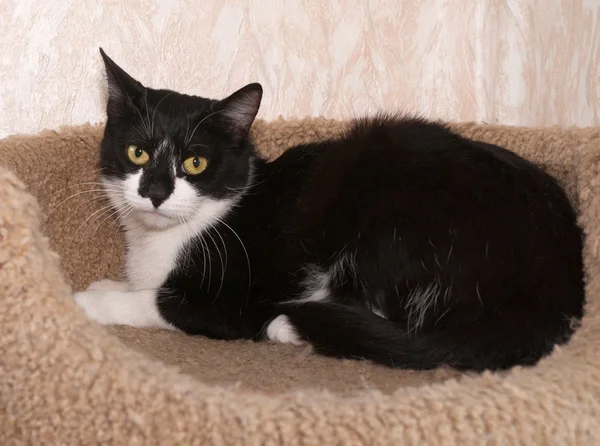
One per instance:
(236, 112)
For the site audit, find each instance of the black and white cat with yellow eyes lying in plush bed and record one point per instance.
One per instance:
(399, 242)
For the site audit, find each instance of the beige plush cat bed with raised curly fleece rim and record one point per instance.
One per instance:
(66, 380)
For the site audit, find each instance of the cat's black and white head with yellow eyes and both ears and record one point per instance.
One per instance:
(168, 158)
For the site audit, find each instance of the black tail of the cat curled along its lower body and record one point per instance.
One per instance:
(353, 332)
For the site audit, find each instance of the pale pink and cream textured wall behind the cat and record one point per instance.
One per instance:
(530, 62)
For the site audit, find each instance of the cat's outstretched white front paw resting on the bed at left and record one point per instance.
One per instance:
(134, 308)
